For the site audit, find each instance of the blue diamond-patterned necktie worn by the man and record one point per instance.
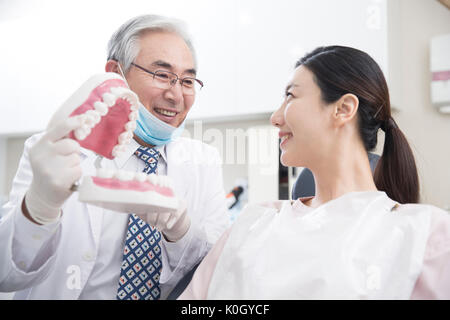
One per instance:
(141, 265)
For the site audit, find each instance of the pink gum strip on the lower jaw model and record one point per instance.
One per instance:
(133, 185)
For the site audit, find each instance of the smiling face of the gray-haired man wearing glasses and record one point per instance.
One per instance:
(169, 52)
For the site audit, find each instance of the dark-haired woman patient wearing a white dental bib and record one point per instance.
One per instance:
(361, 236)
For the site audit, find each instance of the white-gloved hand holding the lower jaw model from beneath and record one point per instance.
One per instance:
(172, 225)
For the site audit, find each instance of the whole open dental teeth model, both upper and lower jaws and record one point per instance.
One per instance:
(108, 112)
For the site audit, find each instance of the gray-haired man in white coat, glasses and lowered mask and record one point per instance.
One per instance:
(88, 252)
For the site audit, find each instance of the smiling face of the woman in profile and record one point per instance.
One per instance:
(304, 121)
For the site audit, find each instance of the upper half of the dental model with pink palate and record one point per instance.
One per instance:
(108, 111)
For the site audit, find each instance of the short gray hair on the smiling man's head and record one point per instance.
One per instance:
(124, 43)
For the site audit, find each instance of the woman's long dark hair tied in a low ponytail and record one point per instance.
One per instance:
(340, 70)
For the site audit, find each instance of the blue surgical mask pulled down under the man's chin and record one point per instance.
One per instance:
(151, 129)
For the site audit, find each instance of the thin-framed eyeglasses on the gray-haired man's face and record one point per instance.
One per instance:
(165, 80)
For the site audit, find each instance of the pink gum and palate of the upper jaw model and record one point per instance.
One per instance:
(104, 136)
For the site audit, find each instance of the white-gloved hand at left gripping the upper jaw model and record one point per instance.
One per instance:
(55, 162)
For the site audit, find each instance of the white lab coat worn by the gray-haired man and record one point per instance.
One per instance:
(196, 171)
